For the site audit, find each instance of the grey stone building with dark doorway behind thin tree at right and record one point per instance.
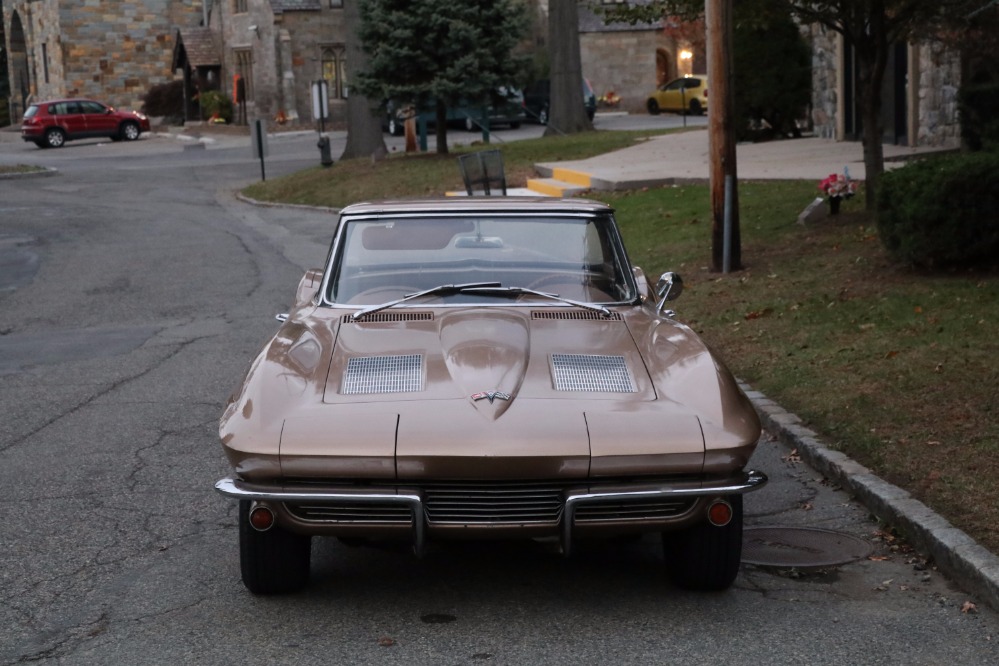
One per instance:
(919, 103)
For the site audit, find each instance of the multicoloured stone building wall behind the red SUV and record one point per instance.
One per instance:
(111, 50)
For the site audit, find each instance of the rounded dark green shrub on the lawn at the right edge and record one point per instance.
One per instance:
(941, 212)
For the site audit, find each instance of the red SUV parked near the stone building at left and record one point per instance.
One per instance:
(51, 124)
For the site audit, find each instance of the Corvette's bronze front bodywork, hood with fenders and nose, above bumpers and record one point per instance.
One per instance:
(487, 393)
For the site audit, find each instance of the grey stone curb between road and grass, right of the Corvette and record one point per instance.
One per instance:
(957, 555)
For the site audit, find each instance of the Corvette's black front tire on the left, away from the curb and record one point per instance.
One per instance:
(272, 562)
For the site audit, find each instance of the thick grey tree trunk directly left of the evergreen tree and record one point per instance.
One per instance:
(364, 126)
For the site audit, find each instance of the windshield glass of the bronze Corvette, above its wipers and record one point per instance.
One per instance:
(381, 260)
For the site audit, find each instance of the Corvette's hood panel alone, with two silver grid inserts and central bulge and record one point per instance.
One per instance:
(488, 357)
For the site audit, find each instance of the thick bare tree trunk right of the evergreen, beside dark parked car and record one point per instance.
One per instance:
(567, 113)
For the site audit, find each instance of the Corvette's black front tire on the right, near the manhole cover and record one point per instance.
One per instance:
(704, 557)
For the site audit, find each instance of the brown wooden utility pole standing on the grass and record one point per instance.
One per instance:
(726, 253)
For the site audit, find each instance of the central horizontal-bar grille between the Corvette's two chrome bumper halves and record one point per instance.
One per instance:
(493, 503)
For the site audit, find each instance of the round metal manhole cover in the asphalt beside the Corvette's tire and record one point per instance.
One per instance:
(800, 547)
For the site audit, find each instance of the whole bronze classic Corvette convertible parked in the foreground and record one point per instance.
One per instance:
(485, 368)
